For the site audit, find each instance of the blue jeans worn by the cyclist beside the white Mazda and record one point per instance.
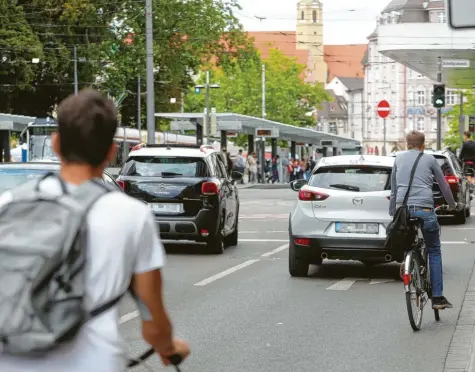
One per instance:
(431, 234)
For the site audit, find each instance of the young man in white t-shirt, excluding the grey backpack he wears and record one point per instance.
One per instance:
(123, 250)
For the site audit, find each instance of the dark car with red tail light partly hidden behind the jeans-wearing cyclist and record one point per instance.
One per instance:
(458, 183)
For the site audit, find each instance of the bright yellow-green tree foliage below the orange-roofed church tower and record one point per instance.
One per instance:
(288, 98)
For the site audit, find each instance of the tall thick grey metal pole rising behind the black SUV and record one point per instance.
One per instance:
(150, 77)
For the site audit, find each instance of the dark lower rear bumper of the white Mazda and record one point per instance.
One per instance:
(343, 248)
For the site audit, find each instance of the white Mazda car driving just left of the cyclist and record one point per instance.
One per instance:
(342, 212)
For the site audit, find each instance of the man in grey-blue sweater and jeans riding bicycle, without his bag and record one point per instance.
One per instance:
(421, 204)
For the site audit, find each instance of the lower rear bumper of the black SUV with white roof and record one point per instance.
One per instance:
(188, 228)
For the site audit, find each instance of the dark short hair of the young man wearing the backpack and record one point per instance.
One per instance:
(87, 123)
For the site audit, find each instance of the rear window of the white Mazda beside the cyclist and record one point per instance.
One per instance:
(352, 178)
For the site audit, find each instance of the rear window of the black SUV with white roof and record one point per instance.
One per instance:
(153, 166)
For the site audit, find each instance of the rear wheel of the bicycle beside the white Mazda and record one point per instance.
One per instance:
(414, 290)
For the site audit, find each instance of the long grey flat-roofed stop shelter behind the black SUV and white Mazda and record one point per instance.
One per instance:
(227, 123)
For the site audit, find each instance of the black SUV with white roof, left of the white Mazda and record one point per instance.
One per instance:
(188, 190)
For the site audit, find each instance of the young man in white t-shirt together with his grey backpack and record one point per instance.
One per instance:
(71, 248)
